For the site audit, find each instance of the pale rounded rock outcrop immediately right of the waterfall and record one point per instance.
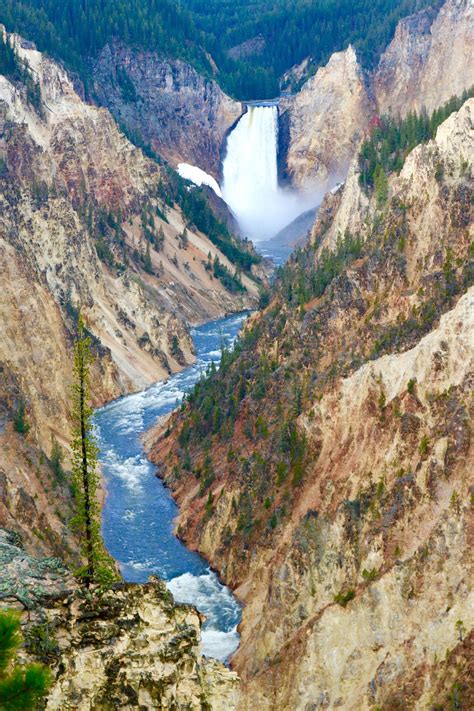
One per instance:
(327, 118)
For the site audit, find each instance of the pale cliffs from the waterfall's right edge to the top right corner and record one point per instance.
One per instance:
(430, 59)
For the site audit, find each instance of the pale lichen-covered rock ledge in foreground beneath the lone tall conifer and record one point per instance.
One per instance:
(130, 647)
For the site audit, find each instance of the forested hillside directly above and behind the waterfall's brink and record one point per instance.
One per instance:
(293, 31)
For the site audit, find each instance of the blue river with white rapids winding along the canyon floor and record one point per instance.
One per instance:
(139, 511)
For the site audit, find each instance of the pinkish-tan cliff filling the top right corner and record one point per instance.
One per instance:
(430, 59)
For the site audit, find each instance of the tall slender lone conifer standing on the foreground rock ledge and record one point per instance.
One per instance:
(85, 478)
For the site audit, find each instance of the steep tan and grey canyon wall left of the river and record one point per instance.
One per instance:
(86, 220)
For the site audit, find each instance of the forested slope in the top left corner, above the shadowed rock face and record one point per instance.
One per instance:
(76, 30)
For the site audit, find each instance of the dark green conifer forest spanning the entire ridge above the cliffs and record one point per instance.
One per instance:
(76, 30)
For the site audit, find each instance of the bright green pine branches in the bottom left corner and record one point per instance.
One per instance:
(20, 686)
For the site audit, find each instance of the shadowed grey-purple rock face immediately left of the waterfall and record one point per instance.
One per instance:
(184, 116)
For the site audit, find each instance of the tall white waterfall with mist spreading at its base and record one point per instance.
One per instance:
(250, 177)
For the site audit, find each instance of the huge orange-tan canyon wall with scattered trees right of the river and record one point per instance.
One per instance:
(335, 491)
